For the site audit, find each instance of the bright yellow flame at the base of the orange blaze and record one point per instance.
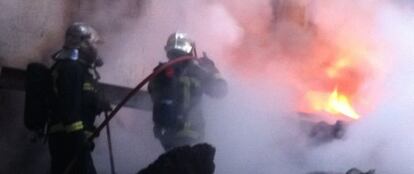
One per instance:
(334, 103)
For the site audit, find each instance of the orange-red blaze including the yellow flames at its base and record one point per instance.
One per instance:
(338, 81)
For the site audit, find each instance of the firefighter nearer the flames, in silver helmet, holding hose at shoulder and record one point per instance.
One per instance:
(177, 93)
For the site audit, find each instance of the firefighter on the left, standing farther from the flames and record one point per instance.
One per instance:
(78, 101)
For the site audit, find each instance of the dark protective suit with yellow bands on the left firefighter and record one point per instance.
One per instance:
(78, 102)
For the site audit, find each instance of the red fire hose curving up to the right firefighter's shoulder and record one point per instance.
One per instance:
(125, 100)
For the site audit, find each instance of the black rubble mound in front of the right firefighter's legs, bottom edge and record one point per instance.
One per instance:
(197, 159)
